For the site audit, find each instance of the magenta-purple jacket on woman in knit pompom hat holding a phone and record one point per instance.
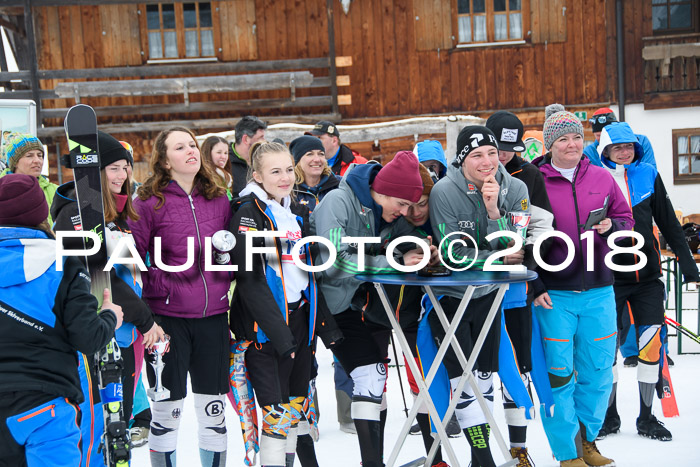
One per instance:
(571, 204)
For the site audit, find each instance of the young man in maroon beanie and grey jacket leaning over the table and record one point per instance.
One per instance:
(371, 201)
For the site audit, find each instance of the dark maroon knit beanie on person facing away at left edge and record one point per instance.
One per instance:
(31, 211)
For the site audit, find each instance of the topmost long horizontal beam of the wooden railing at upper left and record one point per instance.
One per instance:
(174, 69)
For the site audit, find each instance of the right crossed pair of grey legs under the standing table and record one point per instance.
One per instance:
(468, 376)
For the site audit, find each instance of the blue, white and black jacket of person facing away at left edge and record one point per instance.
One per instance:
(45, 316)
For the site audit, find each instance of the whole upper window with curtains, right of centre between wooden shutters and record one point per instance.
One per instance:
(489, 20)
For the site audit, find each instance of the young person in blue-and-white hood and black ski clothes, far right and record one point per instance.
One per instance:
(642, 291)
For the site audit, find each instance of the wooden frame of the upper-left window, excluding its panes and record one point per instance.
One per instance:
(180, 32)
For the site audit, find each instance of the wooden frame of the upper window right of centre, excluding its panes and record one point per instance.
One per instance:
(490, 14)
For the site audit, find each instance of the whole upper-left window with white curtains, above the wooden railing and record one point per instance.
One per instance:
(180, 30)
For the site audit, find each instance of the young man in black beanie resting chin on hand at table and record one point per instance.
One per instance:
(475, 199)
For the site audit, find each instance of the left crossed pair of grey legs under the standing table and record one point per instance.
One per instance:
(423, 394)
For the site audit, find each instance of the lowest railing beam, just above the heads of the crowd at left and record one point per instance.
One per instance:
(51, 132)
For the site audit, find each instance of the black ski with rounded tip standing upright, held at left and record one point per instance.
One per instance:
(80, 125)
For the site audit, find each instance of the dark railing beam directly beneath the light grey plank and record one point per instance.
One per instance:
(179, 108)
